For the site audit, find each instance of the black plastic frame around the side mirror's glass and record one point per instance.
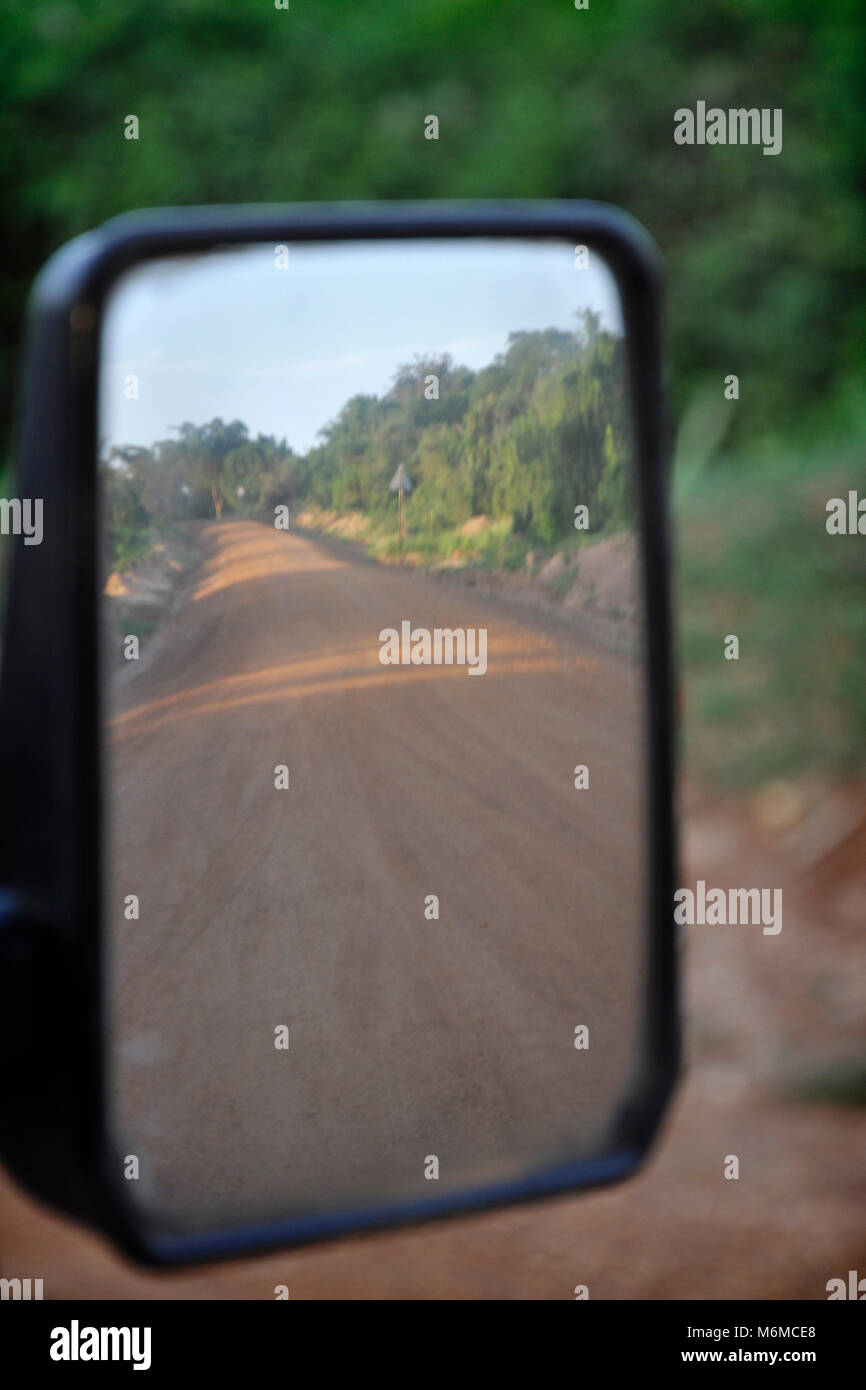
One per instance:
(52, 1114)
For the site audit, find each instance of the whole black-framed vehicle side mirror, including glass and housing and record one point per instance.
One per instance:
(336, 722)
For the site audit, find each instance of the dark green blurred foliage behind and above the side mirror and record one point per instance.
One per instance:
(240, 102)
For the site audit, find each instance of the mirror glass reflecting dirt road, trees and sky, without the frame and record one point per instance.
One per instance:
(373, 643)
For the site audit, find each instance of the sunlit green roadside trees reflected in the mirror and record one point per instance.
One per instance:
(528, 439)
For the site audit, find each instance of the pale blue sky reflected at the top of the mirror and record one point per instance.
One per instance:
(233, 336)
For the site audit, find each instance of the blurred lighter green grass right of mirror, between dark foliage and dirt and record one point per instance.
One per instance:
(754, 559)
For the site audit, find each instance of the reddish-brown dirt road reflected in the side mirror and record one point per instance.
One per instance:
(309, 908)
